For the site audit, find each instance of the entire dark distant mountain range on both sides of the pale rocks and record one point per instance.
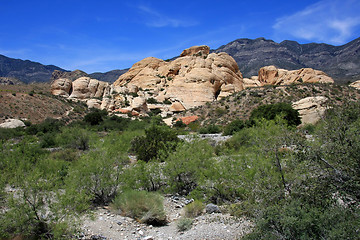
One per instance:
(342, 63)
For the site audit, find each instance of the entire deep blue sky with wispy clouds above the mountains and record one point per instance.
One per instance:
(105, 35)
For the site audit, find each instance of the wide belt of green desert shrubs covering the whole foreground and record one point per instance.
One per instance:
(290, 186)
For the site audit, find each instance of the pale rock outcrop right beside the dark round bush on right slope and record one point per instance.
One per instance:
(311, 109)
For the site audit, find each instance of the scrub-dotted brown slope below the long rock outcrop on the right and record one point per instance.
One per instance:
(240, 104)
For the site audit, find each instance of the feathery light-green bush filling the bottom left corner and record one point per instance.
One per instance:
(39, 209)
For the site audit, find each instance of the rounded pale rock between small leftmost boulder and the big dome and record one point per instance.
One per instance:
(85, 87)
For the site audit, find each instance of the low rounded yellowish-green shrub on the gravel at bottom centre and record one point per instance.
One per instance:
(145, 207)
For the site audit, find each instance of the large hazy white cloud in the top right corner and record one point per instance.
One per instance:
(330, 21)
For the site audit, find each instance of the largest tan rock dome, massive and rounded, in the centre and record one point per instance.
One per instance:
(192, 79)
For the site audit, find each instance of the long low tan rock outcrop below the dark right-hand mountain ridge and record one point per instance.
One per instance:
(274, 76)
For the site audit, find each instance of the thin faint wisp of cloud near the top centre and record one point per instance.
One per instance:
(158, 20)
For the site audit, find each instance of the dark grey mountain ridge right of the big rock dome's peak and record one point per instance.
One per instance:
(340, 62)
